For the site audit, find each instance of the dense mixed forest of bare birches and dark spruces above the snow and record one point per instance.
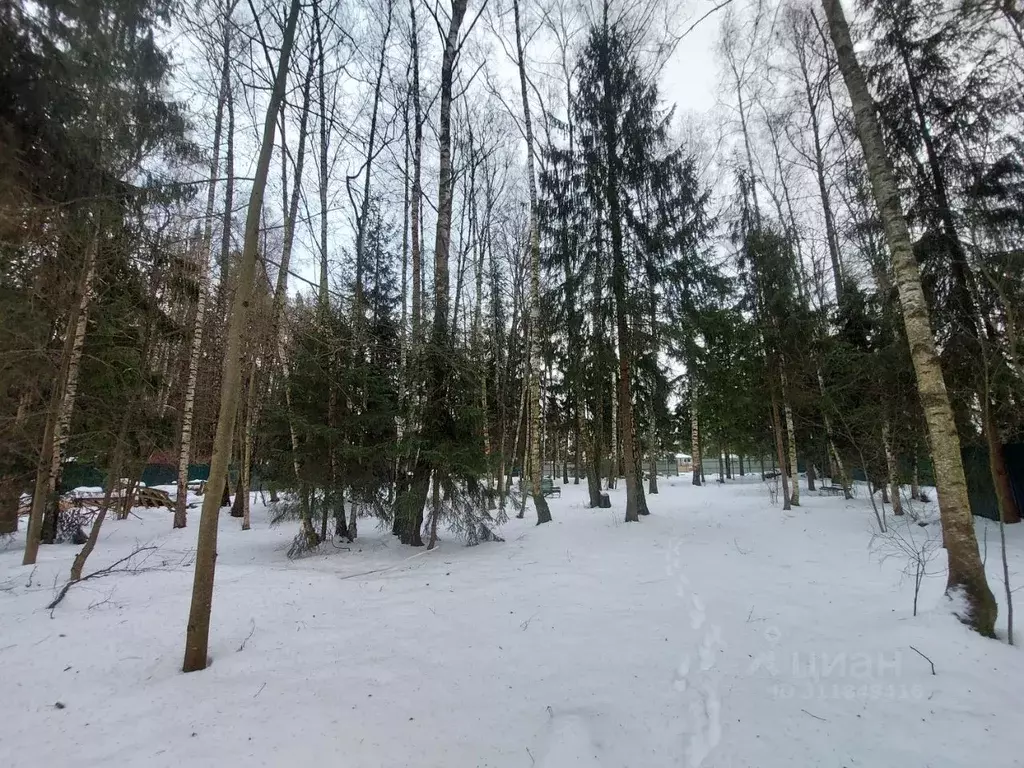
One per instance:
(378, 259)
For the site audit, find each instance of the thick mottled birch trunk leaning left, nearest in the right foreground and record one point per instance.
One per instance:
(966, 572)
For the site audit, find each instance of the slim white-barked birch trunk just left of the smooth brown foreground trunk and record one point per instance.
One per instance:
(196, 351)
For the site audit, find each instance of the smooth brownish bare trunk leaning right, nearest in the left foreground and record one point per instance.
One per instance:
(198, 632)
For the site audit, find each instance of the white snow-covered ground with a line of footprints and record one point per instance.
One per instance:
(720, 631)
